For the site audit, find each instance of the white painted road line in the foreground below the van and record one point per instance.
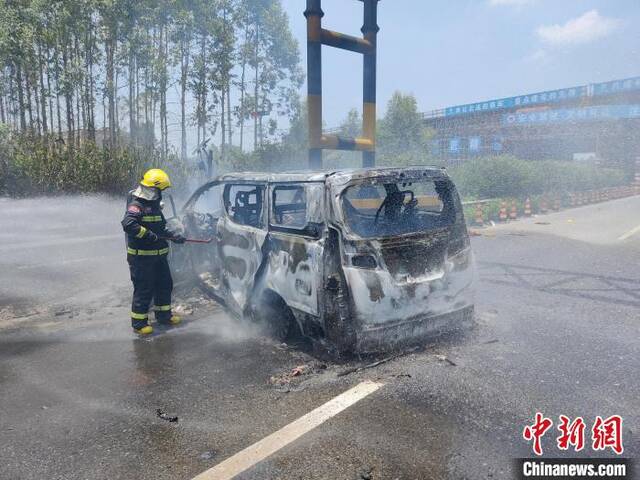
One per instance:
(260, 450)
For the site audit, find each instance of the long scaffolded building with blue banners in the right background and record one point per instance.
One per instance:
(599, 121)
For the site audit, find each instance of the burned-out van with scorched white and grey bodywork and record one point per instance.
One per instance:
(359, 260)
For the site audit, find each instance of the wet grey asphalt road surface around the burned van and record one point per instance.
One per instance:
(557, 332)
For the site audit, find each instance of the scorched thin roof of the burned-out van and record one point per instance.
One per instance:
(338, 176)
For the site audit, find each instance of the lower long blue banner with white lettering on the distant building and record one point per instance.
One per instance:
(571, 115)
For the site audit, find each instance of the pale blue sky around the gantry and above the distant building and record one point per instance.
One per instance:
(449, 52)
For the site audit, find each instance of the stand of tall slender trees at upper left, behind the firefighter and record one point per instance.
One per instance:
(65, 62)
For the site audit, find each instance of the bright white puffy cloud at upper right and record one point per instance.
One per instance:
(583, 29)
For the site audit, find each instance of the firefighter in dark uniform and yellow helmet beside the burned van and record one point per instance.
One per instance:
(147, 250)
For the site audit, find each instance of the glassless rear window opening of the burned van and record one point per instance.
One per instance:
(389, 209)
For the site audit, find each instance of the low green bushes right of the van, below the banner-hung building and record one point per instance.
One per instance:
(506, 176)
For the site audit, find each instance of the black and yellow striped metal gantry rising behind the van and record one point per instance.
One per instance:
(318, 36)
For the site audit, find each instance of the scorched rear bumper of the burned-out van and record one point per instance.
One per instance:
(413, 331)
